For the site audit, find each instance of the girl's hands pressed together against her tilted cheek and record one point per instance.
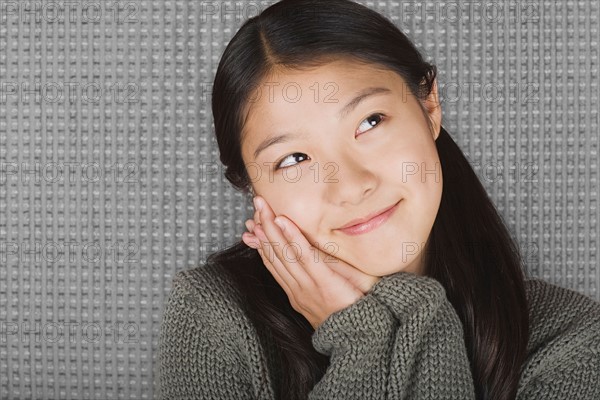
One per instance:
(315, 288)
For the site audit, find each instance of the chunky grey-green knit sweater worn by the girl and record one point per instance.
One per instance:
(403, 340)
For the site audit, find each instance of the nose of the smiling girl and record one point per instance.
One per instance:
(349, 181)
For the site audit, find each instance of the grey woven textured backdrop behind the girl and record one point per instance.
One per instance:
(110, 181)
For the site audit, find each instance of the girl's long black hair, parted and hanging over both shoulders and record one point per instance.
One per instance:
(469, 251)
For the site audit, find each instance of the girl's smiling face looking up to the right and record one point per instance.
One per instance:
(346, 158)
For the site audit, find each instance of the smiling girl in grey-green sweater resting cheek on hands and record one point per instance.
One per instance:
(376, 266)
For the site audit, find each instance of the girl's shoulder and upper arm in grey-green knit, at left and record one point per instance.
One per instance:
(206, 347)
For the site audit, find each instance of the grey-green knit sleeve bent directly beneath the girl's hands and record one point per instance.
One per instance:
(402, 340)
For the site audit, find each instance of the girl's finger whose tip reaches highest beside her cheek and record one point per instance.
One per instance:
(281, 248)
